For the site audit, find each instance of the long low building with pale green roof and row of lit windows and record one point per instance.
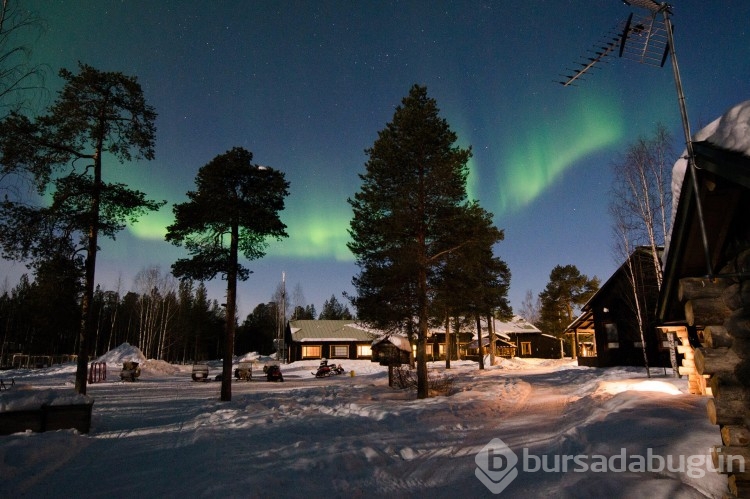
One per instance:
(328, 339)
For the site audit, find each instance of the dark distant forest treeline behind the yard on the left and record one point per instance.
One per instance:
(165, 318)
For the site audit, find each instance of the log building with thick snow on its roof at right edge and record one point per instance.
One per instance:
(705, 296)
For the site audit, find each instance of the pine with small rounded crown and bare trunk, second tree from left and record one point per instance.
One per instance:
(234, 209)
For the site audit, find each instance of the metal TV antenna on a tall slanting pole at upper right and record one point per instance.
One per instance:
(647, 38)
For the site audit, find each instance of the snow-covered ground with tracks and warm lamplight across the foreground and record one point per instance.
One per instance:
(353, 436)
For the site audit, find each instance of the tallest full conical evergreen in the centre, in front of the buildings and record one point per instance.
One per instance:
(413, 188)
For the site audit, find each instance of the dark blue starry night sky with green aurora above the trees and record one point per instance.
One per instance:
(307, 85)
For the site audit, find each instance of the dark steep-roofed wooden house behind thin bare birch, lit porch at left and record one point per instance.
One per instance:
(608, 333)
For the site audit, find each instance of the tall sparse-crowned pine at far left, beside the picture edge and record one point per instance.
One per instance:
(97, 116)
